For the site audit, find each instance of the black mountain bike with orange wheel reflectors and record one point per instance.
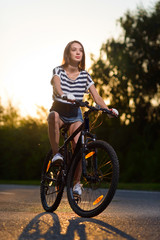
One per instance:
(99, 177)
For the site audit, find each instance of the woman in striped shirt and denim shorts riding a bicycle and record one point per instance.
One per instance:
(71, 81)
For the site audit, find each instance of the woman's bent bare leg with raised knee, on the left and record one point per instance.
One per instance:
(54, 124)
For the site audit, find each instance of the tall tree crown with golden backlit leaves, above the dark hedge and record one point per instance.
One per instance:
(129, 68)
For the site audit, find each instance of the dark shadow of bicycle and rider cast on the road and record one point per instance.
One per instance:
(47, 226)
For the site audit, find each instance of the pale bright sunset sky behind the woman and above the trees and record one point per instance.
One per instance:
(34, 33)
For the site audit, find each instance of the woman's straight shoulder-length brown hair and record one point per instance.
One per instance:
(66, 56)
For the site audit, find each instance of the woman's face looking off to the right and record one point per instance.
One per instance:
(76, 52)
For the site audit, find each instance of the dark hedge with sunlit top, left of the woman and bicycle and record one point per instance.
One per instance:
(23, 144)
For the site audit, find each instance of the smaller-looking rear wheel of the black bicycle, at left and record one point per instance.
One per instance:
(52, 186)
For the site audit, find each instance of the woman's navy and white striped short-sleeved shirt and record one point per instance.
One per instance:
(76, 87)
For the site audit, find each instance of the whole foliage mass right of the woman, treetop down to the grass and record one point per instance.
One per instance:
(127, 72)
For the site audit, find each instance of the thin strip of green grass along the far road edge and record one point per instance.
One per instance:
(125, 186)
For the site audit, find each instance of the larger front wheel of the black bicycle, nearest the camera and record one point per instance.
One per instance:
(100, 185)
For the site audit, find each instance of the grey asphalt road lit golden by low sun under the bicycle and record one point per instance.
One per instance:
(131, 215)
